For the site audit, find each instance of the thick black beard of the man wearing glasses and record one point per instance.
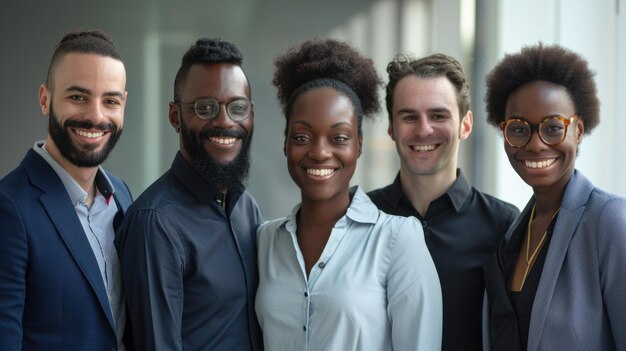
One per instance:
(222, 176)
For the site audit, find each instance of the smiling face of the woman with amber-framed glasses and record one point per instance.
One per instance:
(540, 165)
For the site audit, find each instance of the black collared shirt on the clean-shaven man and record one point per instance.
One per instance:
(462, 228)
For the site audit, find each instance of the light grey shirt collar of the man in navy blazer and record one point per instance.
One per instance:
(75, 191)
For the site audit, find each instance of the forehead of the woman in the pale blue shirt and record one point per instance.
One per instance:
(323, 106)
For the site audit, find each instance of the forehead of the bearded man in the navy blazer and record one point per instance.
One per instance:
(90, 71)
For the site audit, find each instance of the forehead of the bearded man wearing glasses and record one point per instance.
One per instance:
(221, 81)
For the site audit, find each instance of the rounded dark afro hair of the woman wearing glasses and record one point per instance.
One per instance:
(552, 63)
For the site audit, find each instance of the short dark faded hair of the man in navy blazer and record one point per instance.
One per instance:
(83, 41)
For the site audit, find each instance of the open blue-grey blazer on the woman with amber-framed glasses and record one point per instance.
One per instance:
(580, 302)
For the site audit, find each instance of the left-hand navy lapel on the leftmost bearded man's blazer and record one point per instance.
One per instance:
(57, 204)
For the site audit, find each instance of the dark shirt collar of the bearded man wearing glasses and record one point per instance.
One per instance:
(196, 185)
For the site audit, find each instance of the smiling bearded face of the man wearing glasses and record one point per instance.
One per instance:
(218, 148)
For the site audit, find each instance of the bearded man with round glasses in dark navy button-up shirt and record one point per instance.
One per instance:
(188, 243)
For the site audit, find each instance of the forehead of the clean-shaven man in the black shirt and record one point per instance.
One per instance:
(424, 93)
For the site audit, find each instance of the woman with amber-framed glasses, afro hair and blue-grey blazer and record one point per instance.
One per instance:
(557, 281)
